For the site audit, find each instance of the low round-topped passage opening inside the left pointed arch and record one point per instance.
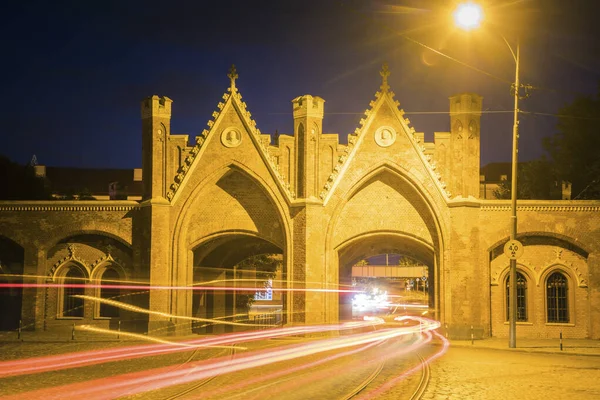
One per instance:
(231, 283)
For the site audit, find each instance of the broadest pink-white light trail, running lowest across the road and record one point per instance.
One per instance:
(143, 381)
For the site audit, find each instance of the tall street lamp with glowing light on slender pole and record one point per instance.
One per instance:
(469, 16)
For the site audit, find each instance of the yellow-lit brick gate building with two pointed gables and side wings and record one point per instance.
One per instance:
(323, 206)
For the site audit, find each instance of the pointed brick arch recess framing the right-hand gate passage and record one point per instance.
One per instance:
(388, 213)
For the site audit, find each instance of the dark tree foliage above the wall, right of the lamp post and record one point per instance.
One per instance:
(575, 149)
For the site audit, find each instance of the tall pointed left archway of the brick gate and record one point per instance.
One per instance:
(244, 218)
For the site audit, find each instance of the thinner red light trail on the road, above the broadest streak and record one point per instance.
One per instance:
(92, 357)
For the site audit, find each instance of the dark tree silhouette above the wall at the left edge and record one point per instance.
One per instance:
(19, 182)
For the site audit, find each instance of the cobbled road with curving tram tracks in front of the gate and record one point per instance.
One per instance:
(376, 369)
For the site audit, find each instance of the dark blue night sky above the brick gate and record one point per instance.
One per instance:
(75, 72)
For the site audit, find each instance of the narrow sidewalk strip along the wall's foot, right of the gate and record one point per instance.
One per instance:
(569, 346)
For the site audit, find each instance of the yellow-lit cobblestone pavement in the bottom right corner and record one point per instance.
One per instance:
(487, 373)
